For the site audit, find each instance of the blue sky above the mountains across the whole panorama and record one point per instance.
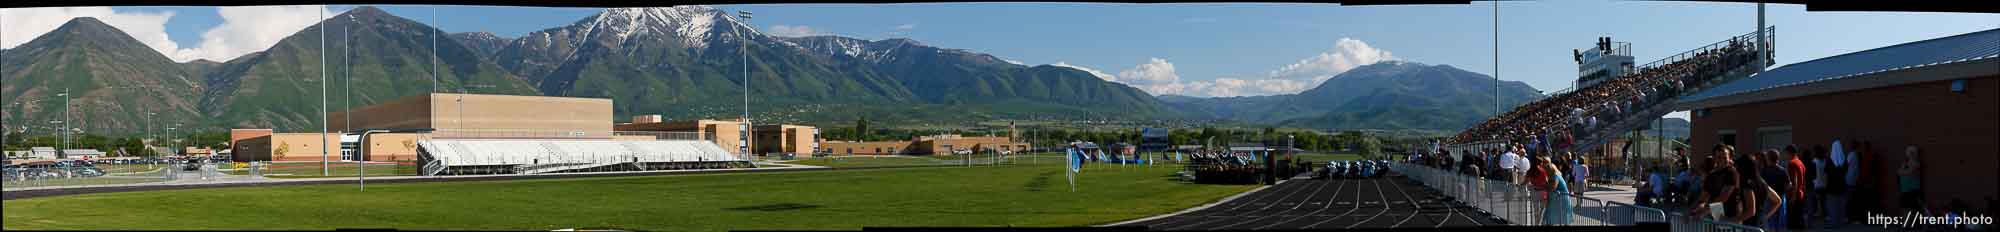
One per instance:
(1211, 49)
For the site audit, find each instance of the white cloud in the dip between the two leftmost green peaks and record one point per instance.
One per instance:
(251, 29)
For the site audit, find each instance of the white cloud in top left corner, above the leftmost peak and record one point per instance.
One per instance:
(27, 25)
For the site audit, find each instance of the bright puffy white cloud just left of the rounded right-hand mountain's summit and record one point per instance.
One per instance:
(1345, 57)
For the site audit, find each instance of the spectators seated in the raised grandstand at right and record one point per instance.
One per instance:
(1561, 119)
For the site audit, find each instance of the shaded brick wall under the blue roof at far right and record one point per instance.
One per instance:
(1957, 133)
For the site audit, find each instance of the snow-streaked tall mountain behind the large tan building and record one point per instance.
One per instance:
(695, 57)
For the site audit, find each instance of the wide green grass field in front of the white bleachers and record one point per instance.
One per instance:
(1021, 195)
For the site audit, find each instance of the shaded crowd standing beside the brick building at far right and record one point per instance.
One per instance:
(1793, 187)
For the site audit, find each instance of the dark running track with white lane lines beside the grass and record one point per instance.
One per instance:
(1329, 205)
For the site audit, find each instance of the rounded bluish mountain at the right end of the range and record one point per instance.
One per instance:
(1385, 95)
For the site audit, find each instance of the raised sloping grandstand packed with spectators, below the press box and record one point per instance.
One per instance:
(1591, 115)
